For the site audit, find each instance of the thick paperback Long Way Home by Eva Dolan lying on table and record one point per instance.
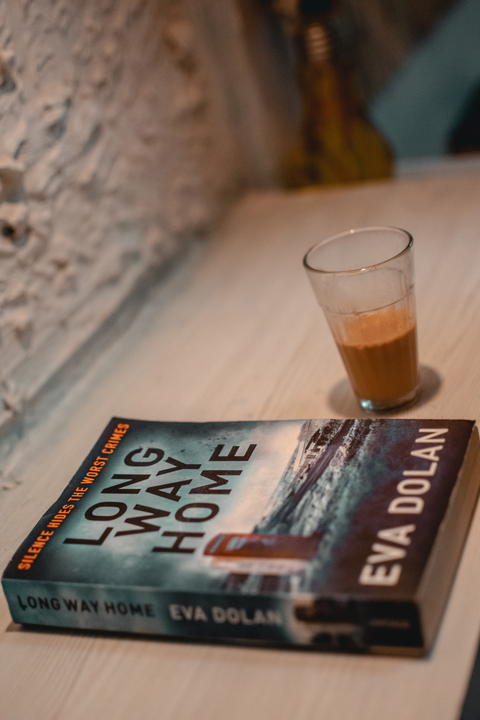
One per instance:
(338, 535)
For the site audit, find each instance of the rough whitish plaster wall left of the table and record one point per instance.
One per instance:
(115, 148)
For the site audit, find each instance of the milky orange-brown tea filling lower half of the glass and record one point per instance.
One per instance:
(379, 351)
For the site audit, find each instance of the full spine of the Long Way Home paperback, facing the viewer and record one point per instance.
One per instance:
(261, 619)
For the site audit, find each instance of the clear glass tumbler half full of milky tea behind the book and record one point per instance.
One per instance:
(363, 280)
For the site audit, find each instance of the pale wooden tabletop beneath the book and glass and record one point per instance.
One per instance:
(235, 333)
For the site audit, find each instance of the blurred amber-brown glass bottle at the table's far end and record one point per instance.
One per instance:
(338, 144)
